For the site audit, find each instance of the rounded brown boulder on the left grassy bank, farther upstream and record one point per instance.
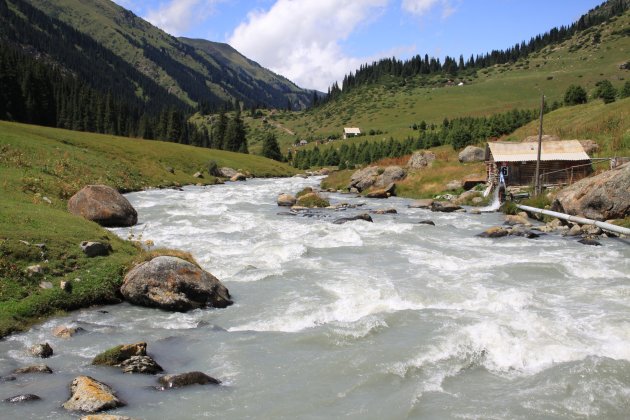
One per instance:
(103, 205)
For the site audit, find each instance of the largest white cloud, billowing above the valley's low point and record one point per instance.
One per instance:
(301, 39)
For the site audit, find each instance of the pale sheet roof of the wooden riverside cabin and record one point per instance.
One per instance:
(567, 150)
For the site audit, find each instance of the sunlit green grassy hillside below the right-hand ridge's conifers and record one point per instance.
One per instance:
(392, 105)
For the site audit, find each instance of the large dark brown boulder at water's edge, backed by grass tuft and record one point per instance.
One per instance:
(173, 284)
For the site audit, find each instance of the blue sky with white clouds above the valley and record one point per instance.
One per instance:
(317, 42)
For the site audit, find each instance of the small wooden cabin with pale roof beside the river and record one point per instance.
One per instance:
(561, 162)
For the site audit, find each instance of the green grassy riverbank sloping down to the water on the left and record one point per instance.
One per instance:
(40, 169)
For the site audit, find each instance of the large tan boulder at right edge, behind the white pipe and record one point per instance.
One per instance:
(601, 197)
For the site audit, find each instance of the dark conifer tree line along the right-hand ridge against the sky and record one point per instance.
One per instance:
(418, 65)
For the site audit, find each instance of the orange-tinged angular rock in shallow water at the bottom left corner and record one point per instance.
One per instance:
(91, 396)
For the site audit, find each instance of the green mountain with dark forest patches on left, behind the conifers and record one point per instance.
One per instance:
(112, 49)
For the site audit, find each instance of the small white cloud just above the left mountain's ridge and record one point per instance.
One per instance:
(177, 16)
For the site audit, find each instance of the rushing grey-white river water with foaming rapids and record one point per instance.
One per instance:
(385, 320)
